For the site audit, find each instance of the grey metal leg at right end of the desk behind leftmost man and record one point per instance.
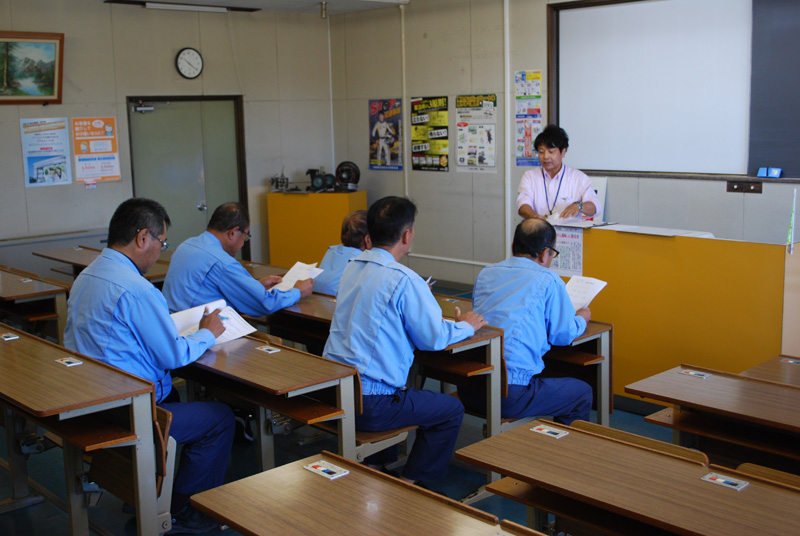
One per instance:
(144, 466)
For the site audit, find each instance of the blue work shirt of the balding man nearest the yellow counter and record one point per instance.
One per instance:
(530, 303)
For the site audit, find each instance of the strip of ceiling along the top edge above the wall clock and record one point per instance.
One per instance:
(333, 7)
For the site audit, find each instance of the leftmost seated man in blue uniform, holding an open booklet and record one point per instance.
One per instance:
(117, 316)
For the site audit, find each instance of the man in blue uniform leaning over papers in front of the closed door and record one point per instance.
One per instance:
(203, 269)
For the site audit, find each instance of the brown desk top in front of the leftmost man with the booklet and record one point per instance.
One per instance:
(278, 373)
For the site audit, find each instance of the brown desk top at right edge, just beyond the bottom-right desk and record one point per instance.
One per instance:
(732, 395)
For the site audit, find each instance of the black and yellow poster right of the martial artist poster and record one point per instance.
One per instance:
(429, 134)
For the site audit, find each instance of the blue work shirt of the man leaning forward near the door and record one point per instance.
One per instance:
(201, 272)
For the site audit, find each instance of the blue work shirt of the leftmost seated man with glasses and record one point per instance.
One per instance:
(117, 316)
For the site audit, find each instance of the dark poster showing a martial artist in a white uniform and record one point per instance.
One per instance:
(385, 134)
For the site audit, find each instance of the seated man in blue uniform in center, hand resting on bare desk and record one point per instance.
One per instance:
(383, 312)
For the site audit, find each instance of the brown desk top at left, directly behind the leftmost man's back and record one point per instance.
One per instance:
(32, 379)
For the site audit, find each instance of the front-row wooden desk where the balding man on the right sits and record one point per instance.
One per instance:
(597, 339)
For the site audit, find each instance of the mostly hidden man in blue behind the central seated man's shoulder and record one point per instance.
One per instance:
(355, 239)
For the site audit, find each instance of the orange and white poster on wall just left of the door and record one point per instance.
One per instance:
(96, 154)
